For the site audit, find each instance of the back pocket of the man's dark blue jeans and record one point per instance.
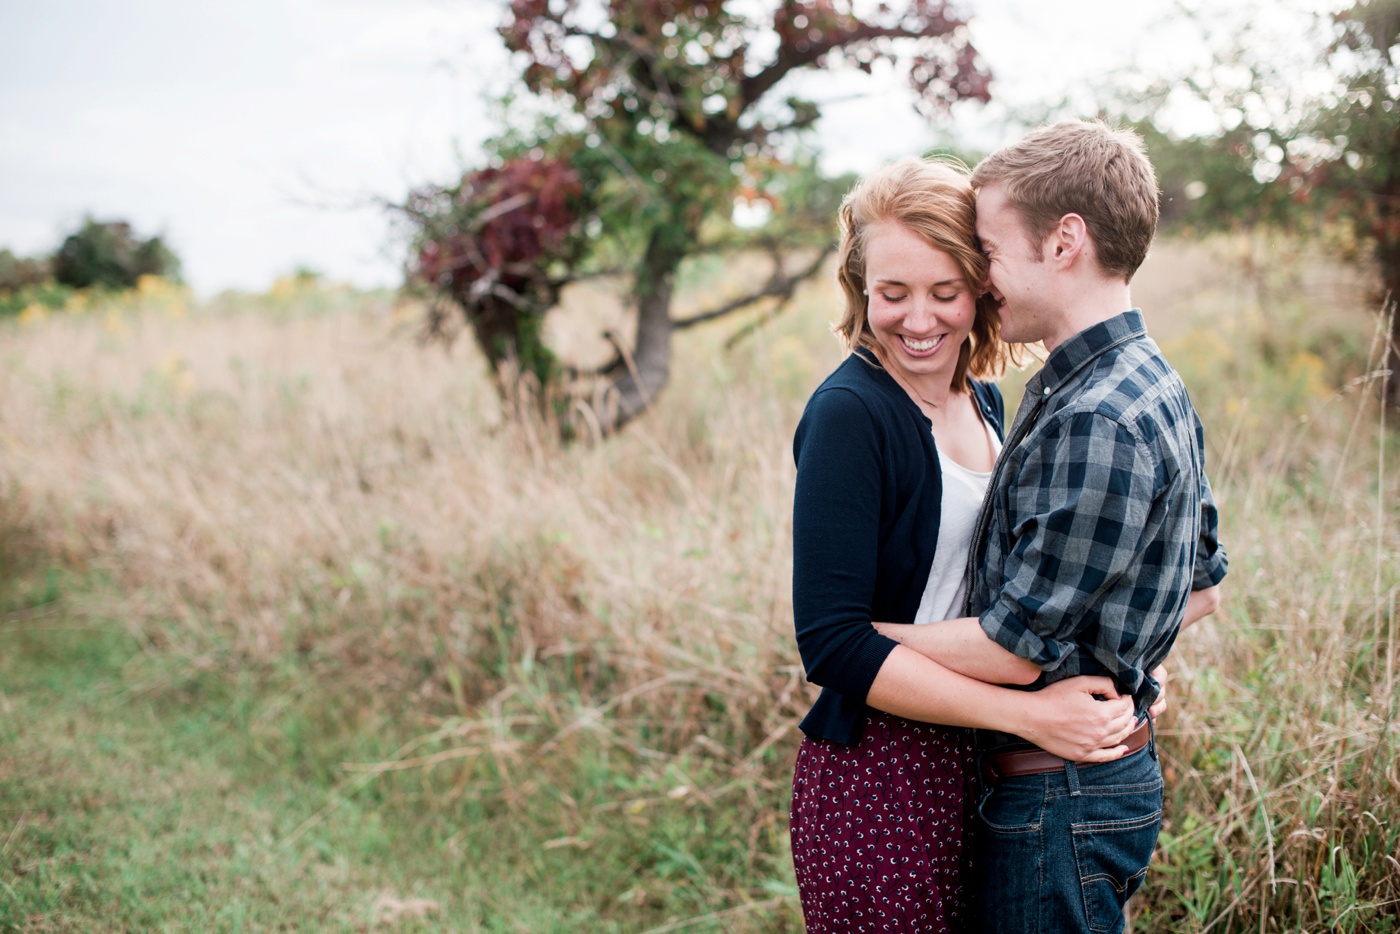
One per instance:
(1112, 859)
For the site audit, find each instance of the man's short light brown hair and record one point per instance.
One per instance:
(1086, 169)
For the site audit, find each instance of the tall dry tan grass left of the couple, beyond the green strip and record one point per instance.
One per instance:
(320, 487)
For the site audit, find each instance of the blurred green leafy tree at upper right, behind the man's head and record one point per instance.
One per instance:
(1314, 135)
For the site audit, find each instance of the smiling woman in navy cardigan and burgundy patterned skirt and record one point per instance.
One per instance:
(894, 454)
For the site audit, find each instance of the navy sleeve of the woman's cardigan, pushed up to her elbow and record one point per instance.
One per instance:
(836, 529)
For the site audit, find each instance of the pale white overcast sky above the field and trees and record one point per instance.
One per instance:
(260, 137)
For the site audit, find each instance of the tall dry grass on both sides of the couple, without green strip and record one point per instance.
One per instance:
(296, 482)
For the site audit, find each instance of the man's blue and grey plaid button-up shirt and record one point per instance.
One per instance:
(1100, 519)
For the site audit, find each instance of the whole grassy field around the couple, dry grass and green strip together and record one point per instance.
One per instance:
(449, 632)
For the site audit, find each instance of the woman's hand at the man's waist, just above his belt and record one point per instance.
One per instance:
(1070, 720)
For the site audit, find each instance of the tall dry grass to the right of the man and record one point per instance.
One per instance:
(1283, 762)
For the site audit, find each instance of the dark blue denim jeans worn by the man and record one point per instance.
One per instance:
(1065, 851)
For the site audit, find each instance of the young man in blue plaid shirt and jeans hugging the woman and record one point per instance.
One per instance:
(1098, 526)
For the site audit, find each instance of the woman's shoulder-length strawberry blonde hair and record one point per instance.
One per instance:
(936, 201)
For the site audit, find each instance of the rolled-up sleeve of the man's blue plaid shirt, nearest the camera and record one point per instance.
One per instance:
(1079, 512)
